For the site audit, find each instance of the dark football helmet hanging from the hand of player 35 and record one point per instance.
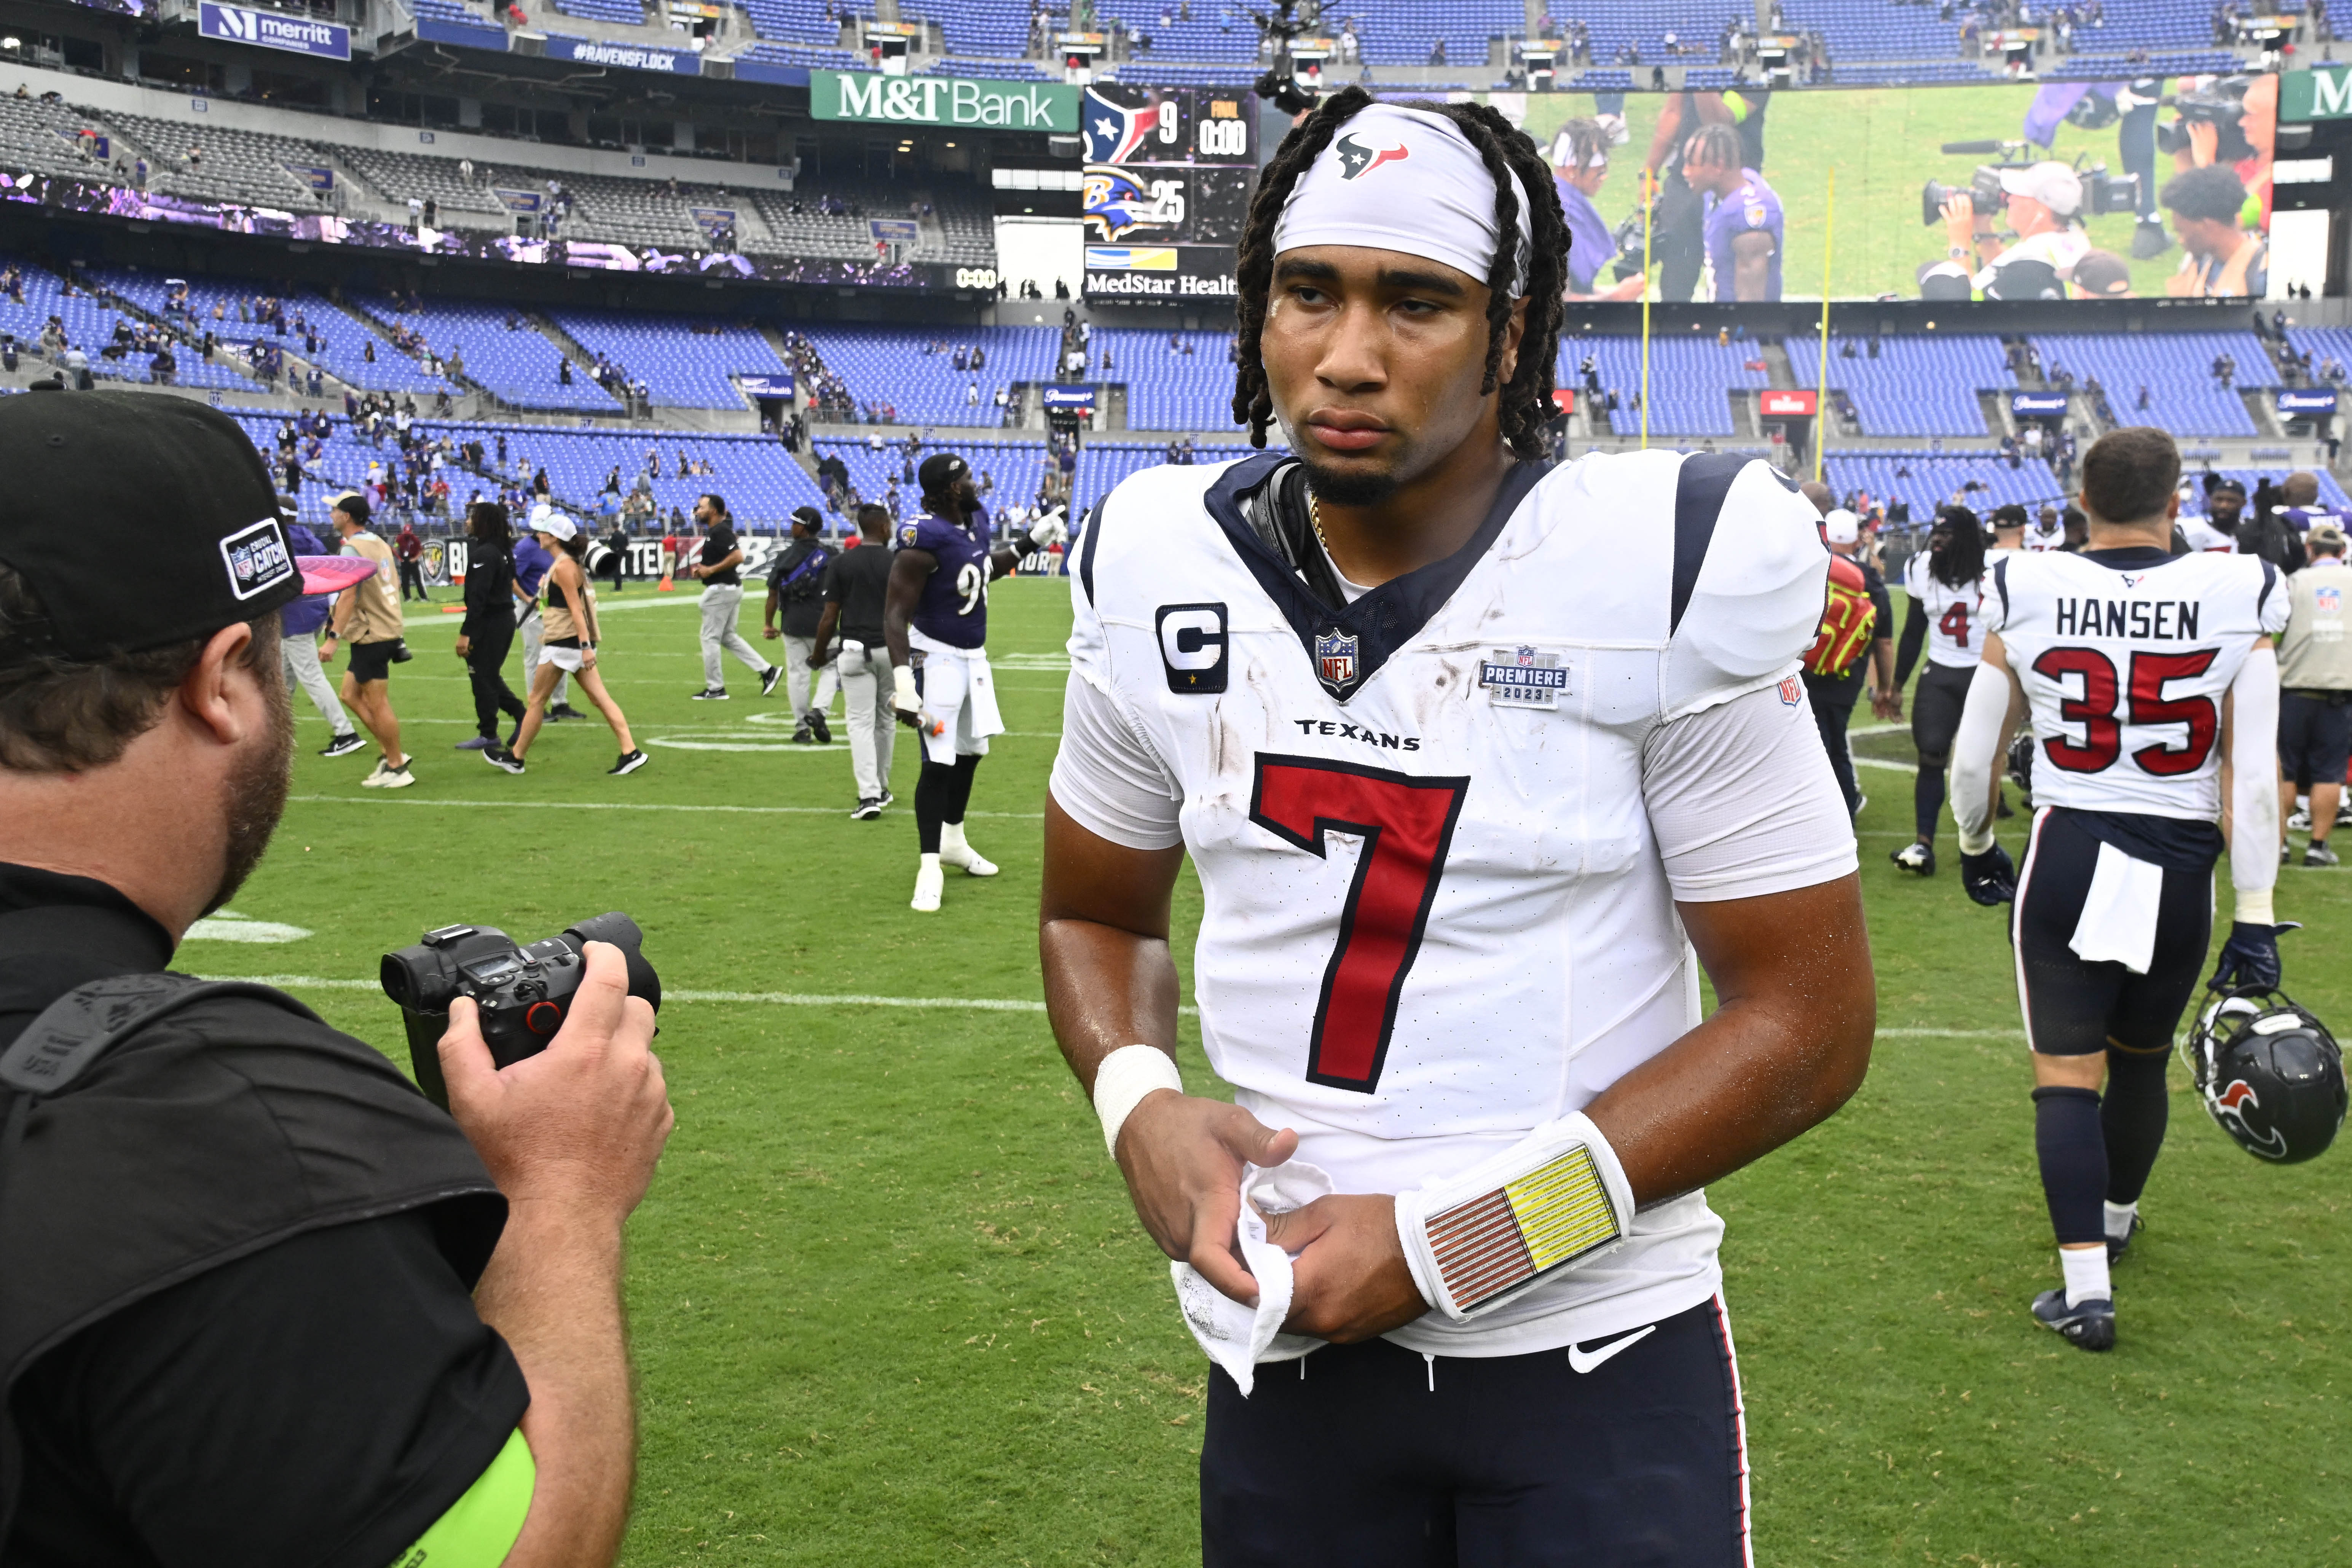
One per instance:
(2269, 1073)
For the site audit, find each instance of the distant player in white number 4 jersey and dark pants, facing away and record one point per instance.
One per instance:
(1944, 619)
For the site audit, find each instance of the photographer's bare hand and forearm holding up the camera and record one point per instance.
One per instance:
(570, 1137)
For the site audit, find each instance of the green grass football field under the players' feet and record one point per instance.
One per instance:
(893, 1306)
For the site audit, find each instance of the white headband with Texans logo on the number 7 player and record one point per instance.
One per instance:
(1403, 180)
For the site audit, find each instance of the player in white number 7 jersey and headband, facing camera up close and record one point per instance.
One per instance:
(1478, 763)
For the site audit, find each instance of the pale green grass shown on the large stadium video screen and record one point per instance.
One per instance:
(1885, 145)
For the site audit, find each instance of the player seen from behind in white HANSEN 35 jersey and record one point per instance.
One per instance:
(2141, 674)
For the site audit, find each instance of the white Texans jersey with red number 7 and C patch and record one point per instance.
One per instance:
(1436, 911)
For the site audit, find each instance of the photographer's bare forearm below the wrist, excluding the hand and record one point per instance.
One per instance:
(554, 1294)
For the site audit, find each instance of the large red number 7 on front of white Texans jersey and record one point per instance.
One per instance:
(1408, 826)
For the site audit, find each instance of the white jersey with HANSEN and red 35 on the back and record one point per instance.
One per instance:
(2125, 659)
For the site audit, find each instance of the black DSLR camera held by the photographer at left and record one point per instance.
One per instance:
(523, 993)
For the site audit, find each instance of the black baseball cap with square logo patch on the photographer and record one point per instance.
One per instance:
(138, 518)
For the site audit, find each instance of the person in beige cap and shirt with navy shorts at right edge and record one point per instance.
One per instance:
(2316, 690)
